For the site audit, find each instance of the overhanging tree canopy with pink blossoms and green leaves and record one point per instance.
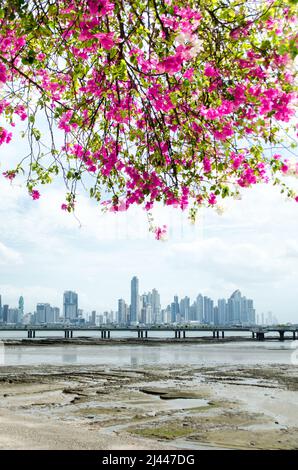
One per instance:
(177, 101)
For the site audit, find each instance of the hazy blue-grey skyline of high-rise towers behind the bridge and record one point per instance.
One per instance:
(144, 308)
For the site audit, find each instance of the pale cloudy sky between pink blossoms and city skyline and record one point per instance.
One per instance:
(253, 247)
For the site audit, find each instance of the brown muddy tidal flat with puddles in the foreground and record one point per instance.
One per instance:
(149, 407)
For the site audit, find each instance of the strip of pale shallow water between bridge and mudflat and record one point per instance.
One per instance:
(267, 352)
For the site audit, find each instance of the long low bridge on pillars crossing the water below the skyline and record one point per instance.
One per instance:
(142, 332)
